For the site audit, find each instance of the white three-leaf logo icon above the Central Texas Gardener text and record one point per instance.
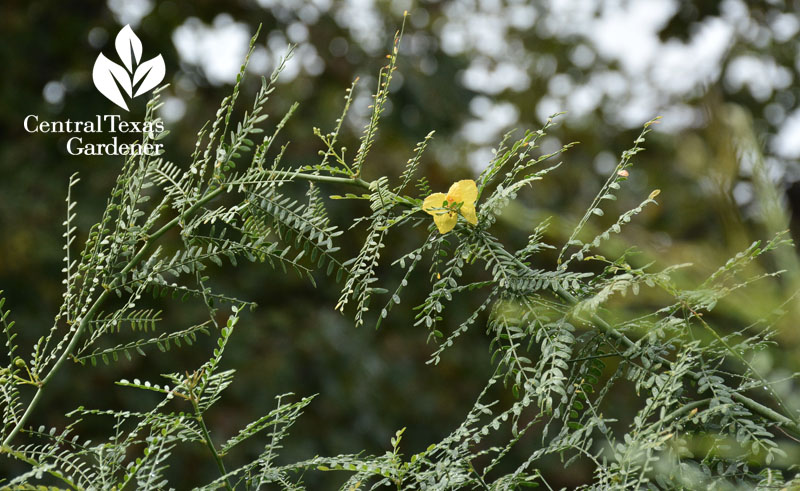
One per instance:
(108, 76)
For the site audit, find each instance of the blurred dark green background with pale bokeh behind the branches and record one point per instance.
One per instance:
(722, 74)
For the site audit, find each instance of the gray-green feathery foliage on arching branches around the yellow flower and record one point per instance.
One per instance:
(551, 338)
